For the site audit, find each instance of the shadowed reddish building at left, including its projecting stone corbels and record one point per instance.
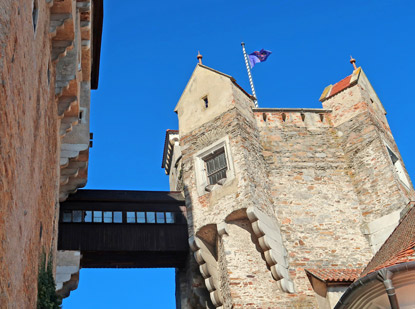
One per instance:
(49, 55)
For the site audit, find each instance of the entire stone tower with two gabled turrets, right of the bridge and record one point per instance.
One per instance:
(273, 193)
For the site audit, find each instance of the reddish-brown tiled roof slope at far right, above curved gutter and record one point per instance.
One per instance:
(399, 247)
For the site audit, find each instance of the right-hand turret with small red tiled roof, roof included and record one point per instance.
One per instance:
(379, 177)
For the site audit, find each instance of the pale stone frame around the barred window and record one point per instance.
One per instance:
(199, 159)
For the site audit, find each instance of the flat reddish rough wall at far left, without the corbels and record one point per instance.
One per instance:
(29, 152)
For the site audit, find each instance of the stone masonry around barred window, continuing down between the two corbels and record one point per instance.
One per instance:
(249, 188)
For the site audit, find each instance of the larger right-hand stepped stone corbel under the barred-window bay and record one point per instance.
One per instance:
(269, 236)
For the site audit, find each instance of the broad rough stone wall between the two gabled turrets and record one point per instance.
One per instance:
(314, 198)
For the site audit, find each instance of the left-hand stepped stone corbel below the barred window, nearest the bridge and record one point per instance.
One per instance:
(208, 267)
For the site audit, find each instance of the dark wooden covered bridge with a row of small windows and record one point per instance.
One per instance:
(125, 228)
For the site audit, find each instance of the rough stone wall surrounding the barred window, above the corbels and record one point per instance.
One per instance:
(243, 191)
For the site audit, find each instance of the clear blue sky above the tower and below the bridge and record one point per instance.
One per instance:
(149, 51)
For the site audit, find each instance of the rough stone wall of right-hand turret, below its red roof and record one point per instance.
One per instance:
(363, 131)
